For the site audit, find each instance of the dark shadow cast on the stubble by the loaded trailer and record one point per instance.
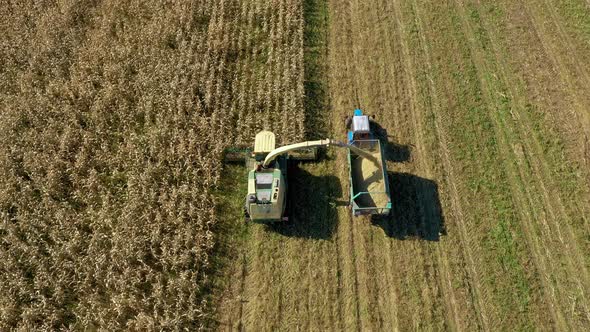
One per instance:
(416, 211)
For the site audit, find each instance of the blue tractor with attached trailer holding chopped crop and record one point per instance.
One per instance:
(369, 185)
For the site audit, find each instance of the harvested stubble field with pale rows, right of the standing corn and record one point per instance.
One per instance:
(481, 112)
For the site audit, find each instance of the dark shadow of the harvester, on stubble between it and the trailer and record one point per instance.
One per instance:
(312, 202)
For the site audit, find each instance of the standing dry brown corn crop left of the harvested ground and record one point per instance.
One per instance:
(113, 121)
